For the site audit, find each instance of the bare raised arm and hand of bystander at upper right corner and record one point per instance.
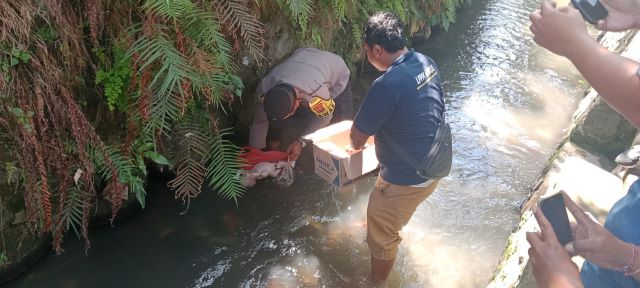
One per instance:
(563, 31)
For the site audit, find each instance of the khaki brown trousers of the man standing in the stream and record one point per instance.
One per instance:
(390, 208)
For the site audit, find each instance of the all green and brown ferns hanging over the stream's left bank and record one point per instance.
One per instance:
(159, 70)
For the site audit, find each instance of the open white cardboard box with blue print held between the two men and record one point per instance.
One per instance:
(330, 155)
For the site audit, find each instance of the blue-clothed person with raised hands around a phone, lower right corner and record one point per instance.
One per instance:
(611, 261)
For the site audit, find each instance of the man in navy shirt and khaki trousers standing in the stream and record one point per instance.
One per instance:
(403, 107)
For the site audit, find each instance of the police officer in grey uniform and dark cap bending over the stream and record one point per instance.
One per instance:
(306, 92)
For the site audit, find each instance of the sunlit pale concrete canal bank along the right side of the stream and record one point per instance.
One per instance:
(583, 166)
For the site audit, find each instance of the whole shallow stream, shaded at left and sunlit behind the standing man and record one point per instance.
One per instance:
(509, 104)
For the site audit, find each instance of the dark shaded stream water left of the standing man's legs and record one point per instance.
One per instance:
(276, 237)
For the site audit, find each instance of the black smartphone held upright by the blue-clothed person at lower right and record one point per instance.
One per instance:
(553, 208)
